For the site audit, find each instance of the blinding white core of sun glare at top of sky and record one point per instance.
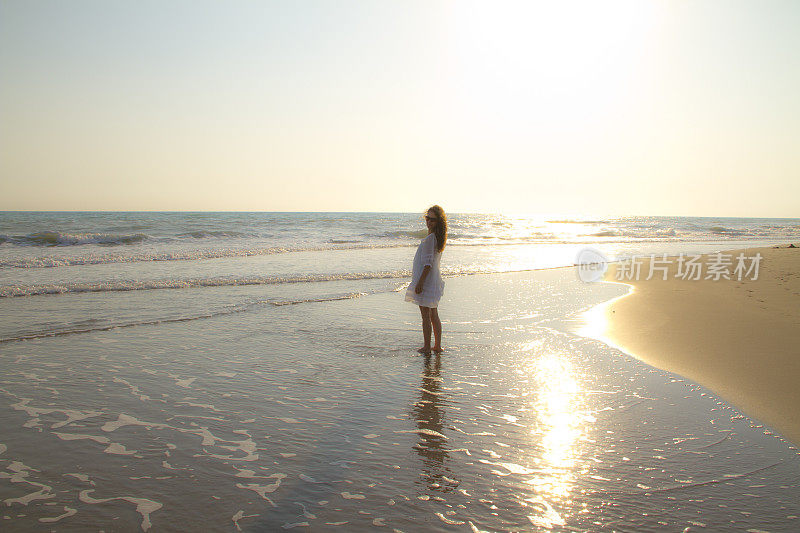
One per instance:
(555, 62)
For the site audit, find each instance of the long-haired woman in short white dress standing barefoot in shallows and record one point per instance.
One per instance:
(427, 285)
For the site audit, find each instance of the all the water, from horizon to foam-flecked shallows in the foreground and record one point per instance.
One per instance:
(258, 372)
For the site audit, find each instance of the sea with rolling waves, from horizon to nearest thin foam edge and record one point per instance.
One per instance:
(103, 255)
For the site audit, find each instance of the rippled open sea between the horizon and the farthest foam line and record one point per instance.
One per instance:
(33, 239)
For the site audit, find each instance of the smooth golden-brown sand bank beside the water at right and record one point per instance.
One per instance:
(740, 339)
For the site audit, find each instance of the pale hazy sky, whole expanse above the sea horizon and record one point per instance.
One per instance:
(613, 108)
